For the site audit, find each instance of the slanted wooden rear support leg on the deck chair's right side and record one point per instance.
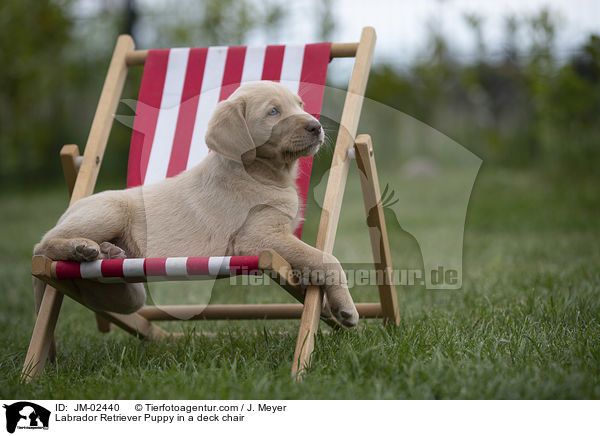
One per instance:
(369, 181)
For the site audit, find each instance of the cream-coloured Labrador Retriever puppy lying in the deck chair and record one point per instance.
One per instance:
(239, 200)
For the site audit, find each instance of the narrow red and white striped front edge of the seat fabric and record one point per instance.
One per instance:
(157, 268)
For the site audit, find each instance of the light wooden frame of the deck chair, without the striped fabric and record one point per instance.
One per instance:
(81, 173)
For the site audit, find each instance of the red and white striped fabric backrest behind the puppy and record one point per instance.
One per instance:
(181, 88)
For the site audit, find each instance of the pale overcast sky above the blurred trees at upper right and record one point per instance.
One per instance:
(403, 26)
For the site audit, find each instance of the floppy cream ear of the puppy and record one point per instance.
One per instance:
(228, 132)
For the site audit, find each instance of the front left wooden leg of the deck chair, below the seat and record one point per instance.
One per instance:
(43, 335)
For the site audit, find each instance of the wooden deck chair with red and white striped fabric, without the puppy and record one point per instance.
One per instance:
(166, 141)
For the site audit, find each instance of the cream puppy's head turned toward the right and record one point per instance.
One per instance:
(263, 119)
